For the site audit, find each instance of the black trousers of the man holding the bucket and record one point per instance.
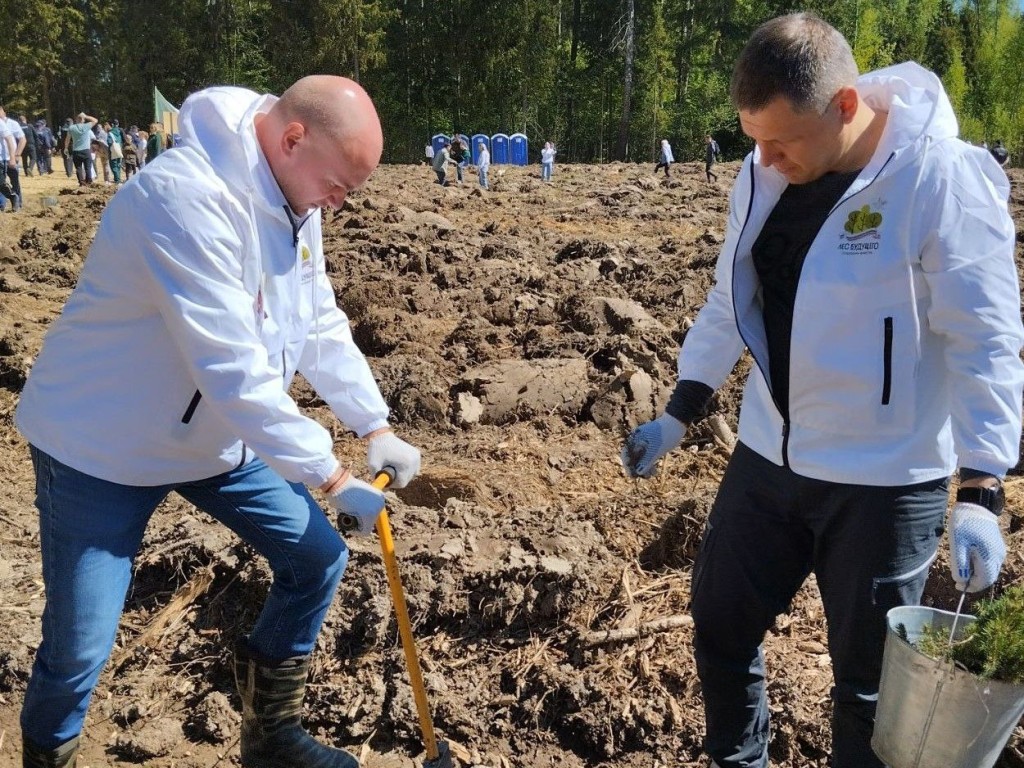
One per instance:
(871, 548)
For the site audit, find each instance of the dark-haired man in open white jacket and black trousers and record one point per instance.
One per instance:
(869, 269)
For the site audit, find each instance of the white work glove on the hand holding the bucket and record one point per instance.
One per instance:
(976, 547)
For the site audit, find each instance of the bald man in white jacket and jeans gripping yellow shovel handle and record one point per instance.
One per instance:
(204, 293)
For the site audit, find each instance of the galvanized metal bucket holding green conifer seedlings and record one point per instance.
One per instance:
(932, 715)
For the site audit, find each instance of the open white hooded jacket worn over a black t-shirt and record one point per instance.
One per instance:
(907, 329)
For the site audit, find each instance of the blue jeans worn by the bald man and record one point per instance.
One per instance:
(91, 532)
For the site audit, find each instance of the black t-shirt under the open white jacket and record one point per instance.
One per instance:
(779, 258)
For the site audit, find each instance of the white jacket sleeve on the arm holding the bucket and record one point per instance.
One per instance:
(968, 264)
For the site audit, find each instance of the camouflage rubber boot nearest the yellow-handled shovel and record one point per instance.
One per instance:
(273, 736)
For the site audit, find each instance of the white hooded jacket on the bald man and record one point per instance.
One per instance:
(199, 301)
